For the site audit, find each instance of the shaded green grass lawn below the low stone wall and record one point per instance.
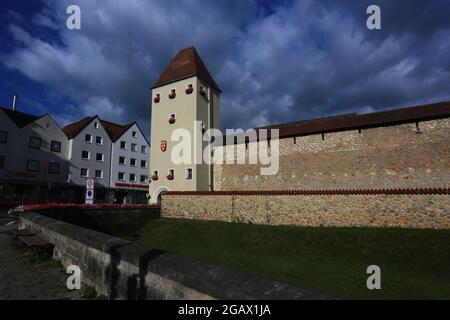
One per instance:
(415, 264)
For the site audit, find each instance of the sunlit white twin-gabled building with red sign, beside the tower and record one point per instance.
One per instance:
(116, 156)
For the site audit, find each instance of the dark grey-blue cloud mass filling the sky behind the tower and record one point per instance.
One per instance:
(275, 61)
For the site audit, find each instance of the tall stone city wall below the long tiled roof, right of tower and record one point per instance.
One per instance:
(375, 158)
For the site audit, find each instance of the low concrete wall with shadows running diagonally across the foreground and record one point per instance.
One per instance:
(120, 269)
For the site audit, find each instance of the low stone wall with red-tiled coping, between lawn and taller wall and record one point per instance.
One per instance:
(330, 210)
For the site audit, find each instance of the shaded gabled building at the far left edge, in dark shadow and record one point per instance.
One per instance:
(33, 157)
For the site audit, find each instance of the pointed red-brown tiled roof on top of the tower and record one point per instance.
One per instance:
(187, 63)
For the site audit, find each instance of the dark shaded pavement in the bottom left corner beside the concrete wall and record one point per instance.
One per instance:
(21, 280)
